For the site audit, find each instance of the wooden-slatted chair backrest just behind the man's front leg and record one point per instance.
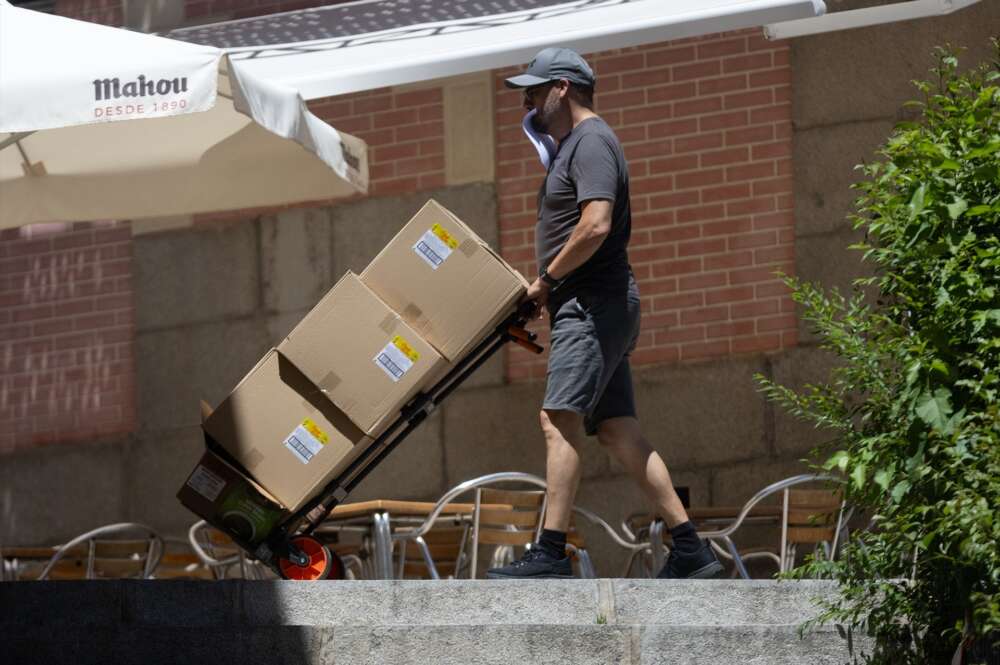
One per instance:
(517, 523)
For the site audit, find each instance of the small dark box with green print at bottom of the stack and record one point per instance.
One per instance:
(230, 501)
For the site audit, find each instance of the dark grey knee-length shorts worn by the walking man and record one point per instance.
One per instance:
(592, 337)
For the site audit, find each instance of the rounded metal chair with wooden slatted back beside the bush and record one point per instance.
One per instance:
(798, 520)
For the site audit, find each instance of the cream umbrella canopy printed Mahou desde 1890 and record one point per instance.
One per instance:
(104, 123)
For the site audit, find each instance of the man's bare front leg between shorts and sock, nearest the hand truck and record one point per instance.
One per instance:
(563, 431)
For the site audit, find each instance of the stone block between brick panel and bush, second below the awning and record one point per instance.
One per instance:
(824, 159)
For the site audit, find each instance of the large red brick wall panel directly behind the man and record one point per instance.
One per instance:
(706, 127)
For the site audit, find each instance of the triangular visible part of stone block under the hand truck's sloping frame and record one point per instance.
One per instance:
(413, 470)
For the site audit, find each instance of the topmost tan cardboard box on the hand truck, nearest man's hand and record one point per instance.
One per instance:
(444, 280)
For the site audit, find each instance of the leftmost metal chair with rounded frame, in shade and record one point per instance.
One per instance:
(109, 554)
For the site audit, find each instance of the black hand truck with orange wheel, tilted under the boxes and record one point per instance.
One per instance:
(290, 550)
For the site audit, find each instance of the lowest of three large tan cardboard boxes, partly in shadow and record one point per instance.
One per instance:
(285, 432)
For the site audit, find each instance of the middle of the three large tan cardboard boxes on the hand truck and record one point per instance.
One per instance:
(361, 355)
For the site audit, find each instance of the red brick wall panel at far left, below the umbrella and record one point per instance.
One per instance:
(66, 333)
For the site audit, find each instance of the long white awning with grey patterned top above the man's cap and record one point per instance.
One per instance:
(345, 48)
